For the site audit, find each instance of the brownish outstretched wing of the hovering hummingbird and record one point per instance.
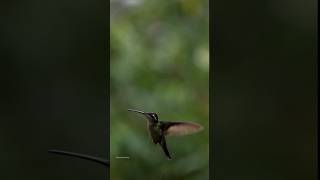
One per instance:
(181, 128)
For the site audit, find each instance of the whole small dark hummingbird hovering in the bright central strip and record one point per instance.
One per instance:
(159, 130)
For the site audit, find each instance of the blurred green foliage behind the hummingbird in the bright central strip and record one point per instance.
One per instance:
(159, 63)
